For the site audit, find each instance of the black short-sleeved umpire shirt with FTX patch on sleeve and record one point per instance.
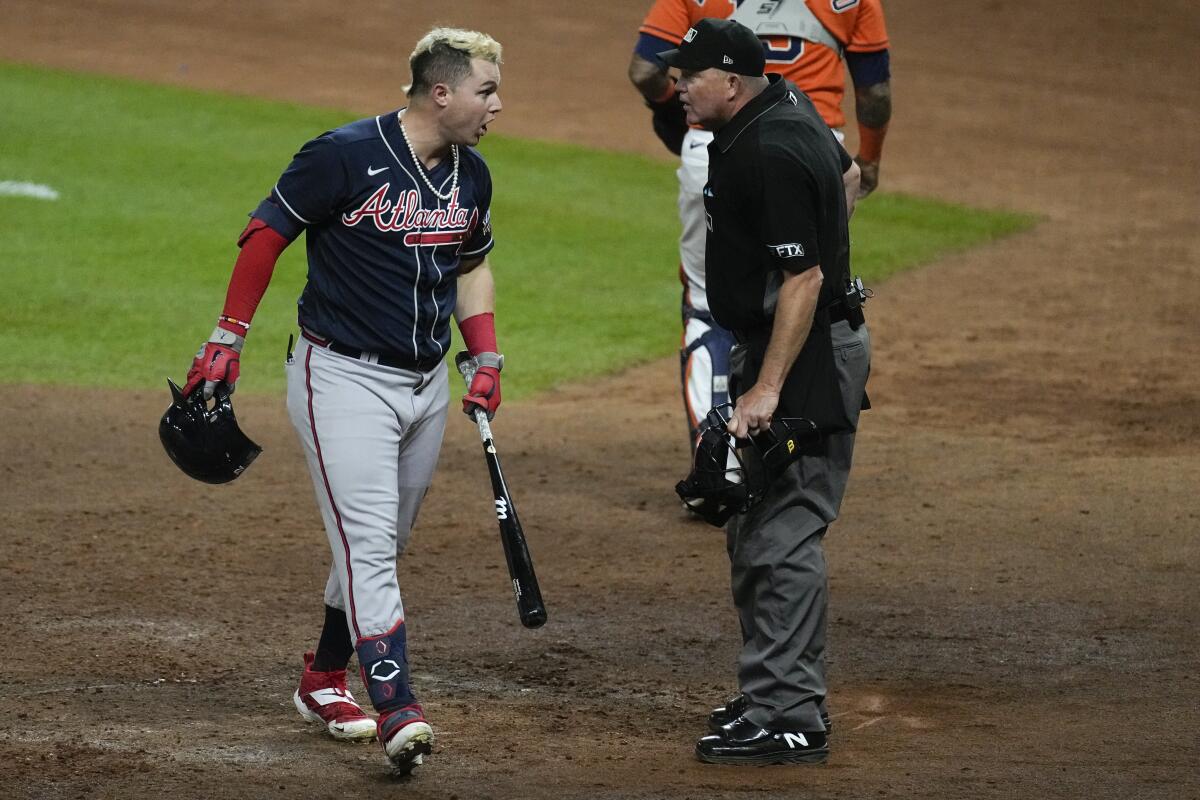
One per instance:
(776, 201)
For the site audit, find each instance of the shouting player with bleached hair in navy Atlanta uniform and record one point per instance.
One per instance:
(395, 210)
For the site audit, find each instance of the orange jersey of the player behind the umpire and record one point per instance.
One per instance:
(814, 68)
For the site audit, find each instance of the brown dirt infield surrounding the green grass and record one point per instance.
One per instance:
(1015, 576)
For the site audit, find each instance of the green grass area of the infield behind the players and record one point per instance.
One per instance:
(119, 281)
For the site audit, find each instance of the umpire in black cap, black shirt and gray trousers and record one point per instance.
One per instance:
(778, 203)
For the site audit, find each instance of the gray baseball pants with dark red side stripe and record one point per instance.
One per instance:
(371, 436)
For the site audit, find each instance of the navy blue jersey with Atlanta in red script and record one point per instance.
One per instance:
(383, 250)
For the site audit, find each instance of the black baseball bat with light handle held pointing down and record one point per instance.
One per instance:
(531, 607)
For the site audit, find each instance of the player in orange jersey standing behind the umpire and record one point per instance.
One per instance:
(807, 41)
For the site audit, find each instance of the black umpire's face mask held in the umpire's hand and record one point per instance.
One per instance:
(731, 476)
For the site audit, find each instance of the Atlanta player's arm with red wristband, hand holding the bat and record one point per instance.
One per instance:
(476, 312)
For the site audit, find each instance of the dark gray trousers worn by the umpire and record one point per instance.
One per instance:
(778, 568)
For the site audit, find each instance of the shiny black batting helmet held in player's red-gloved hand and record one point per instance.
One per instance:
(206, 443)
